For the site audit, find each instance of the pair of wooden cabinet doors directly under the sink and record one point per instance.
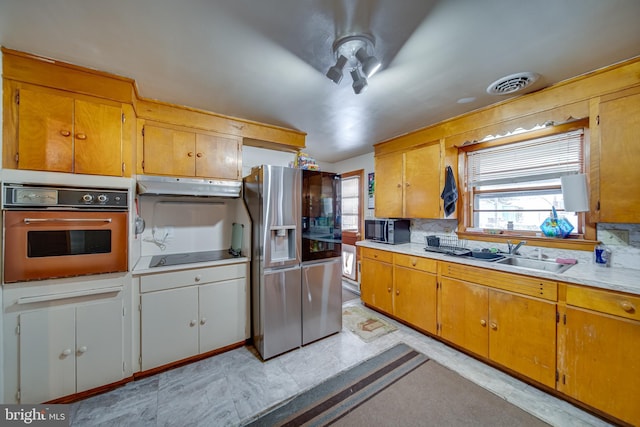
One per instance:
(513, 330)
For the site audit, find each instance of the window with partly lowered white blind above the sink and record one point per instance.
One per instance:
(513, 186)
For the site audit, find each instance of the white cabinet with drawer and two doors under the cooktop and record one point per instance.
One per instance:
(192, 317)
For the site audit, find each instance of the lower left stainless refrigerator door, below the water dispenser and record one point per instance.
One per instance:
(280, 329)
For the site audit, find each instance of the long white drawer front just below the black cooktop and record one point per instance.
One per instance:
(196, 276)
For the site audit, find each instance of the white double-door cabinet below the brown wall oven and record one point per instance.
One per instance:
(67, 350)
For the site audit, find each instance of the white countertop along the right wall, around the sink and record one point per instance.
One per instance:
(612, 278)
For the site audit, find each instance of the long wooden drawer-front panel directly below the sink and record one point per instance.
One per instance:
(525, 285)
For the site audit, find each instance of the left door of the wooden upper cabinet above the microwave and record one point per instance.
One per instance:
(389, 185)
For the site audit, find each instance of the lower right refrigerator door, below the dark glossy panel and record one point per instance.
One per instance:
(321, 299)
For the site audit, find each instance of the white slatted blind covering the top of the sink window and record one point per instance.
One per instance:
(537, 159)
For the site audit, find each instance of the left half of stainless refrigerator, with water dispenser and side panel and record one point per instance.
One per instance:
(272, 195)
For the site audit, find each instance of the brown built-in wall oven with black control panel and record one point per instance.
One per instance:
(52, 232)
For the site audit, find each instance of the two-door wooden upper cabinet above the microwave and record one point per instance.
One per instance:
(408, 183)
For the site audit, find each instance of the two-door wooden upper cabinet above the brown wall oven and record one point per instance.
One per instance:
(61, 133)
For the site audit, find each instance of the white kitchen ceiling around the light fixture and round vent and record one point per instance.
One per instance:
(265, 60)
